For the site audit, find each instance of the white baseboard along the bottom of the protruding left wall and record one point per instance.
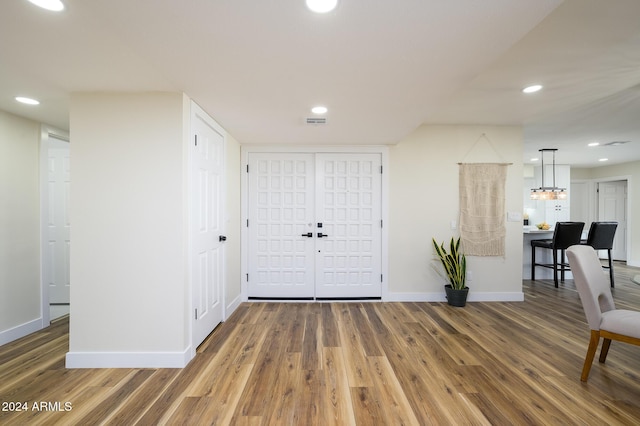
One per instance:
(128, 359)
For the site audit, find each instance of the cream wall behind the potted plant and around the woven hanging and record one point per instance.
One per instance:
(424, 200)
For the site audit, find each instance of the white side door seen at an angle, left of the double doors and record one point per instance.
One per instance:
(207, 227)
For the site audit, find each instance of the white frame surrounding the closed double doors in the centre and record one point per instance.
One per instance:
(354, 149)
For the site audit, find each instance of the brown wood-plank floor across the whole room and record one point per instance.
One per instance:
(351, 363)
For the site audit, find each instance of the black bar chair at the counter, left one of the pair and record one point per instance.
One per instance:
(565, 235)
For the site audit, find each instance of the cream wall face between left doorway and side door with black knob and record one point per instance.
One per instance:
(129, 227)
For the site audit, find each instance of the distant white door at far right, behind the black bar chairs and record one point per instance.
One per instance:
(612, 206)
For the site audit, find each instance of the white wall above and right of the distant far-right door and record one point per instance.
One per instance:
(630, 172)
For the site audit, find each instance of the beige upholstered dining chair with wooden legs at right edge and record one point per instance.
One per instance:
(604, 319)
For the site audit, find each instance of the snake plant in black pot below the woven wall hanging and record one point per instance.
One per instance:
(454, 264)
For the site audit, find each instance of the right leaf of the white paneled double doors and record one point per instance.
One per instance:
(348, 199)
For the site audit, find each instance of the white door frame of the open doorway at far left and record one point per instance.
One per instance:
(46, 132)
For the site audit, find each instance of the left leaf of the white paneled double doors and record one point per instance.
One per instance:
(280, 216)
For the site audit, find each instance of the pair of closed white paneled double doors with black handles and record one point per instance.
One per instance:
(314, 225)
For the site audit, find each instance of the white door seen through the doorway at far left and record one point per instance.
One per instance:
(58, 225)
